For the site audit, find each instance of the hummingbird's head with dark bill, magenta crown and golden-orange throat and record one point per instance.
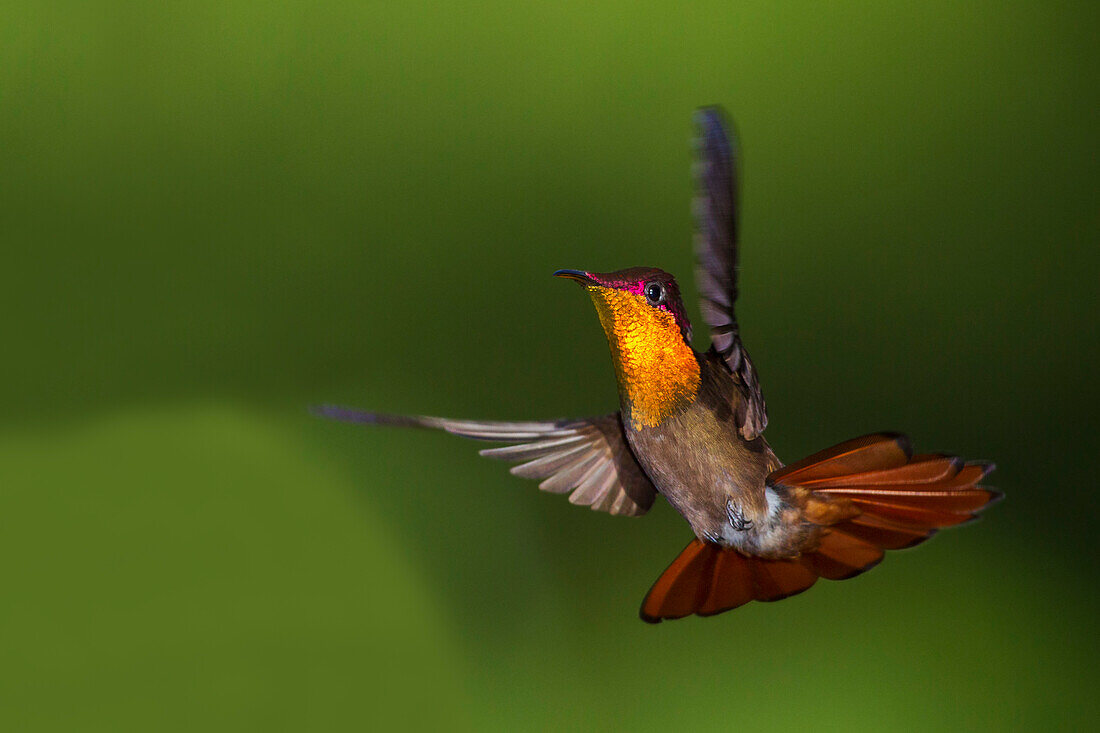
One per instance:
(650, 336)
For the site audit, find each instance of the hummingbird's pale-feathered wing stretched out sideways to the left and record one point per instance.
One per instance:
(587, 457)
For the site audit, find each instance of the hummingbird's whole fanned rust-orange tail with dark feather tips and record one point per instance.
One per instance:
(899, 500)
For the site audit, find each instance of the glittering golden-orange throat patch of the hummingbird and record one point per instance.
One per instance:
(657, 371)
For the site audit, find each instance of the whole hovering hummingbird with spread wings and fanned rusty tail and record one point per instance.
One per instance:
(691, 429)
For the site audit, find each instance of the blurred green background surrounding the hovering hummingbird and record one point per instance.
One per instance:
(215, 214)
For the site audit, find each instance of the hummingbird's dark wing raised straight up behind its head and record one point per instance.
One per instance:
(717, 222)
